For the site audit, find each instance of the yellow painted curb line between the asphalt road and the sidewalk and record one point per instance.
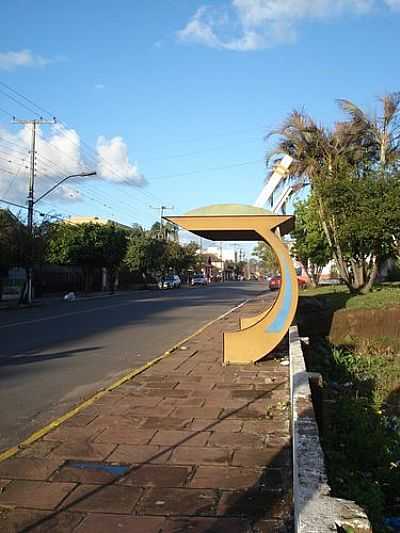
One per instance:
(131, 374)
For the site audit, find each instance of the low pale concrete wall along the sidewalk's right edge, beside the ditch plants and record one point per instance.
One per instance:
(315, 511)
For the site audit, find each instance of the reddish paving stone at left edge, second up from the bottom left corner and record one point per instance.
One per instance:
(35, 494)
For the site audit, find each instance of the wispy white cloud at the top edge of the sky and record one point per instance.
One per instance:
(256, 24)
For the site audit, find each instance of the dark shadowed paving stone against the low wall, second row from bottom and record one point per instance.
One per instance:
(254, 503)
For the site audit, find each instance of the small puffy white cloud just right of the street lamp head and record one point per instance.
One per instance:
(114, 164)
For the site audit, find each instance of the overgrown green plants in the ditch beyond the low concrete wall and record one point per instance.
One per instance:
(360, 429)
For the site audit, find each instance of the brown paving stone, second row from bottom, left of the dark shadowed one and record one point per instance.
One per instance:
(175, 502)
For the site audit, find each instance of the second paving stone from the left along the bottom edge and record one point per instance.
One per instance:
(129, 524)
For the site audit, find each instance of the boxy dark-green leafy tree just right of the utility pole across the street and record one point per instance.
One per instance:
(89, 246)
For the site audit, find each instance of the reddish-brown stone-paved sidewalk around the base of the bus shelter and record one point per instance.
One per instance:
(187, 446)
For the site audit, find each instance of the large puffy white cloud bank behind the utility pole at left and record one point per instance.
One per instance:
(58, 155)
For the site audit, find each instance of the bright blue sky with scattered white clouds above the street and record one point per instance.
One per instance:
(169, 101)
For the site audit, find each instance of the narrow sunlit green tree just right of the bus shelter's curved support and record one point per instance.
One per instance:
(311, 247)
